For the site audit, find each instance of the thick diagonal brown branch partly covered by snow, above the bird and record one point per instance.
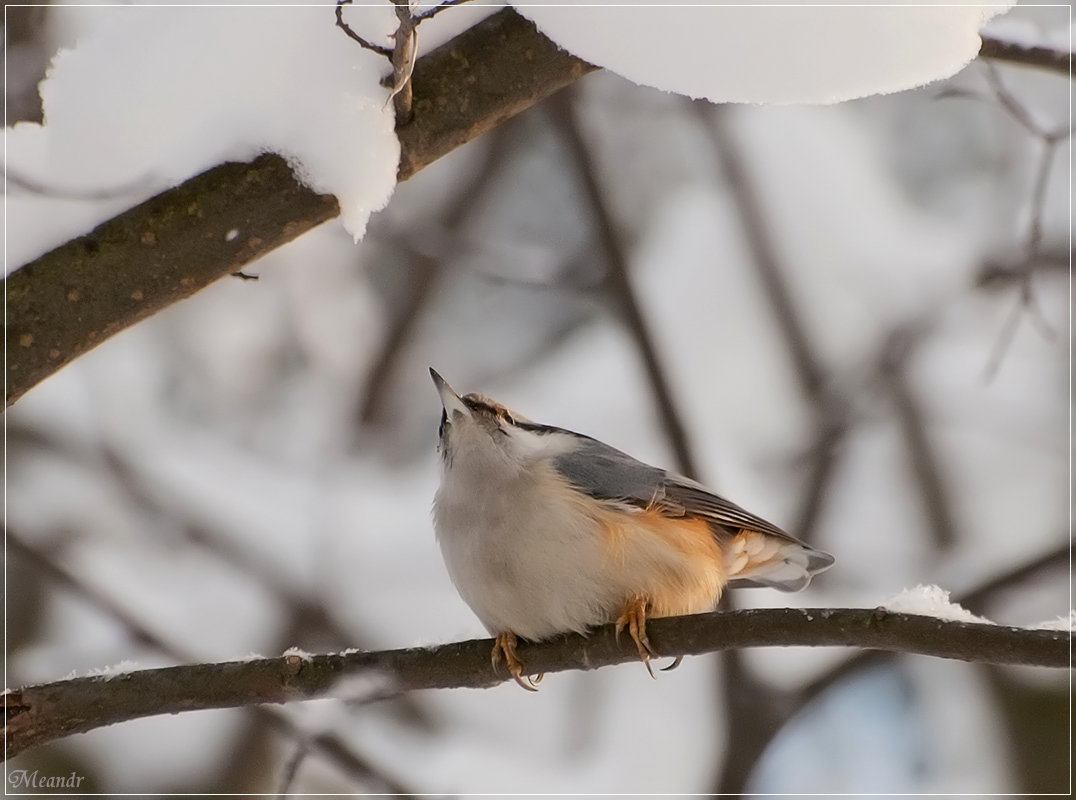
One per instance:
(164, 250)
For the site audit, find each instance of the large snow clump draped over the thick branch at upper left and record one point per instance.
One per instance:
(131, 110)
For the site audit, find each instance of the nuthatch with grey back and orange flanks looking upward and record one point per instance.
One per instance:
(546, 531)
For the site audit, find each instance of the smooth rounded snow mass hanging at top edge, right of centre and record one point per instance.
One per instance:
(797, 53)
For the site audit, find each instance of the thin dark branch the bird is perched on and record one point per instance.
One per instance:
(39, 714)
